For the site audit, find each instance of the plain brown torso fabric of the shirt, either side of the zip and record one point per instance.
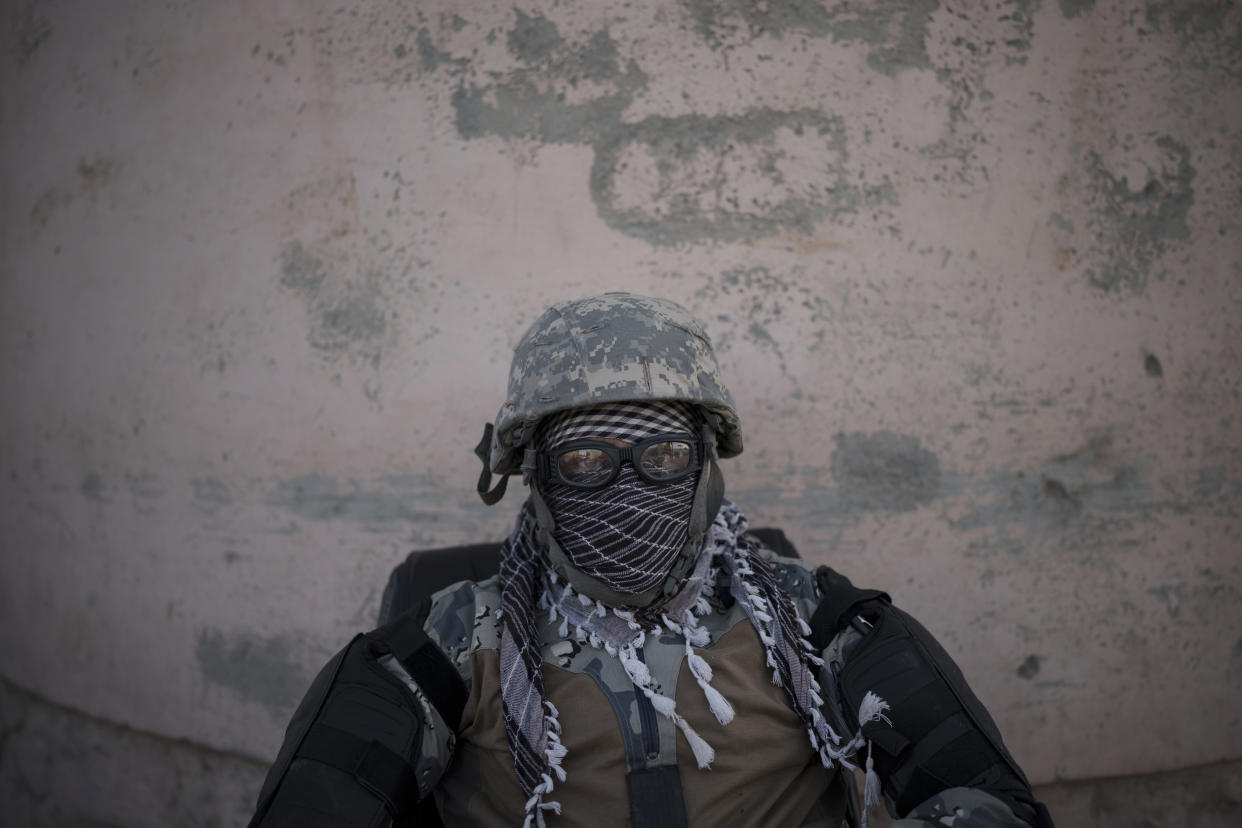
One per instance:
(764, 772)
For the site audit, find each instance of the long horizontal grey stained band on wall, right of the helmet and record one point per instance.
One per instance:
(1087, 502)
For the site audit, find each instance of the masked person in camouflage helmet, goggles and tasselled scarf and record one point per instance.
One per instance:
(640, 659)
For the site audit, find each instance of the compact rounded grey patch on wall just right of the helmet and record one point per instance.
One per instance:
(885, 472)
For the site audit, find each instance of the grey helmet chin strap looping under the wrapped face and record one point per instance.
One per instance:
(709, 497)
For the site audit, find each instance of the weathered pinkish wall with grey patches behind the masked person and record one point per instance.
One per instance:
(974, 272)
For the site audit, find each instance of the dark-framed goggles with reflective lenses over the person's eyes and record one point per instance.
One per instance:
(594, 465)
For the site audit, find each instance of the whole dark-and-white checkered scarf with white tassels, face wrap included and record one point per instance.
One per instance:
(632, 557)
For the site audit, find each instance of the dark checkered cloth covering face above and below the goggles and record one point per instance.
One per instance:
(627, 536)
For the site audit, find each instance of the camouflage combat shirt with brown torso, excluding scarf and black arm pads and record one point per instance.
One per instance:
(766, 772)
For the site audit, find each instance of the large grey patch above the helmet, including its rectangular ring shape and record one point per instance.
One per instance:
(668, 181)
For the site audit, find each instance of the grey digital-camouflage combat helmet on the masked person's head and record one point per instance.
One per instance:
(607, 349)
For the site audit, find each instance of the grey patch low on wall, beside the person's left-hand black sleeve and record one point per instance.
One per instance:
(260, 670)
